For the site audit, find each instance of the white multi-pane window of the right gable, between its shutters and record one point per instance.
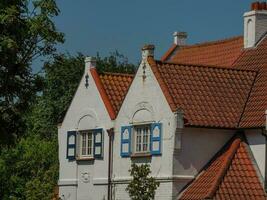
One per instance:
(142, 137)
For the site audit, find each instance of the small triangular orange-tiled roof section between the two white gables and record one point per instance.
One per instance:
(116, 86)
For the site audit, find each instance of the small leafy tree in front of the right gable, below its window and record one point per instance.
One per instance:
(141, 187)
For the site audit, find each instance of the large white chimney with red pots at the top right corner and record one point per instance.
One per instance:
(255, 24)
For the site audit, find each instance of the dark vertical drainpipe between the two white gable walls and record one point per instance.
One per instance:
(110, 153)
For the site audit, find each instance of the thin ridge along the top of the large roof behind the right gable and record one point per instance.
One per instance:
(205, 66)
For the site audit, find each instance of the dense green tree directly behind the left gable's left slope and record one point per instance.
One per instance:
(61, 79)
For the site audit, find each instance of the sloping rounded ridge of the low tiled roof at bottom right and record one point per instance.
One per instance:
(235, 142)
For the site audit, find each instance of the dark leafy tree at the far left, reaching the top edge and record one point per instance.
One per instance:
(27, 32)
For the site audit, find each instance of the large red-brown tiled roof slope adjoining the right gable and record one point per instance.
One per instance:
(209, 96)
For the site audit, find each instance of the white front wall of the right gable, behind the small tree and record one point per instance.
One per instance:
(145, 95)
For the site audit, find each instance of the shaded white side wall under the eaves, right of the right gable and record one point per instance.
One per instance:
(199, 145)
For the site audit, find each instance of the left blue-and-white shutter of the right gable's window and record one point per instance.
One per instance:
(126, 141)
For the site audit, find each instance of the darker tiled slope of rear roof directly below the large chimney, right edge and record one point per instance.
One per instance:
(255, 59)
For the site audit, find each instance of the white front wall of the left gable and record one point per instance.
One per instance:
(87, 111)
